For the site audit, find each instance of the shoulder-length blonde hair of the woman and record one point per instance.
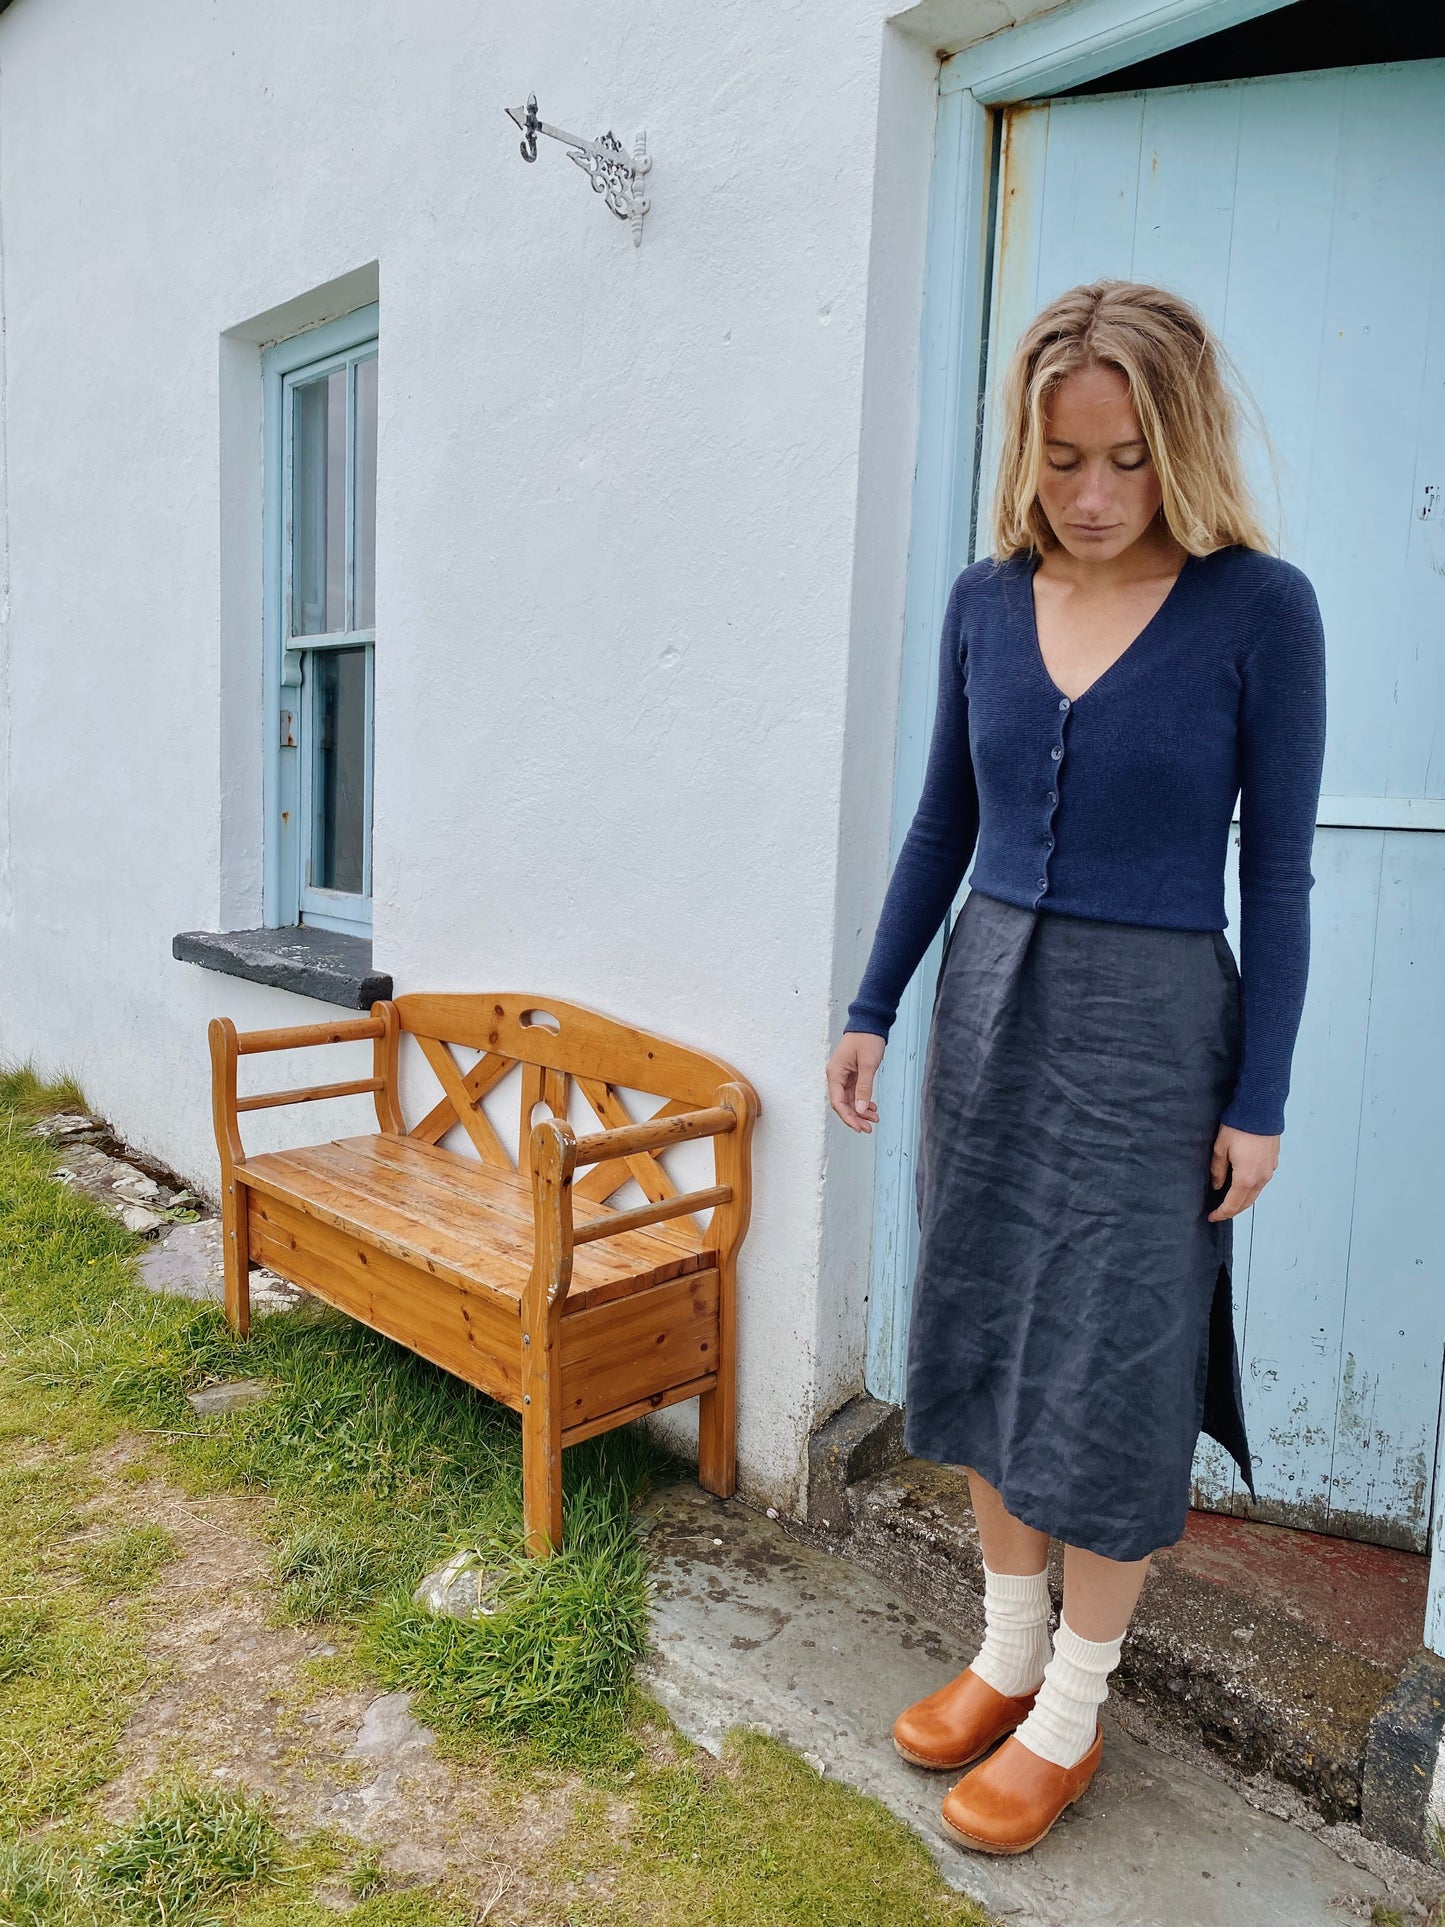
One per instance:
(1188, 413)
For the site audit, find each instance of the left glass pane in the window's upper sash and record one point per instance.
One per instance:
(319, 506)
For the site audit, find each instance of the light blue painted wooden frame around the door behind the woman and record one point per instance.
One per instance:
(1057, 51)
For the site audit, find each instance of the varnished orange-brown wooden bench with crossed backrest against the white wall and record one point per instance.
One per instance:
(513, 1273)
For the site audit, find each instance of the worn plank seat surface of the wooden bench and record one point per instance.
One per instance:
(454, 1219)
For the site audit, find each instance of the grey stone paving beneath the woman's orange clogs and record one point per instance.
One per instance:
(756, 1629)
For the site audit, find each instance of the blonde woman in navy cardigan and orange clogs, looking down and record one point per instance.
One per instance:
(1101, 1092)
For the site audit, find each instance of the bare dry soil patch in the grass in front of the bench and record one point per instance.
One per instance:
(244, 1701)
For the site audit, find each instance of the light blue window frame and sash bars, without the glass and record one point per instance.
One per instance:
(290, 662)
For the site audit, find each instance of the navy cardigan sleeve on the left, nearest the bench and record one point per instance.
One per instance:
(937, 847)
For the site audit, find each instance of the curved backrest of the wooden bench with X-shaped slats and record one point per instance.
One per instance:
(558, 1047)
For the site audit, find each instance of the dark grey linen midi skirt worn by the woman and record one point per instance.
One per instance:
(1072, 1325)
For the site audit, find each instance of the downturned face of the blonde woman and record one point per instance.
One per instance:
(1099, 487)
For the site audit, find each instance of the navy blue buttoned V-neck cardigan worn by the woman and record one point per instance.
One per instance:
(1117, 805)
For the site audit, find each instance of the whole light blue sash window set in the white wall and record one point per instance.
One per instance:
(321, 618)
